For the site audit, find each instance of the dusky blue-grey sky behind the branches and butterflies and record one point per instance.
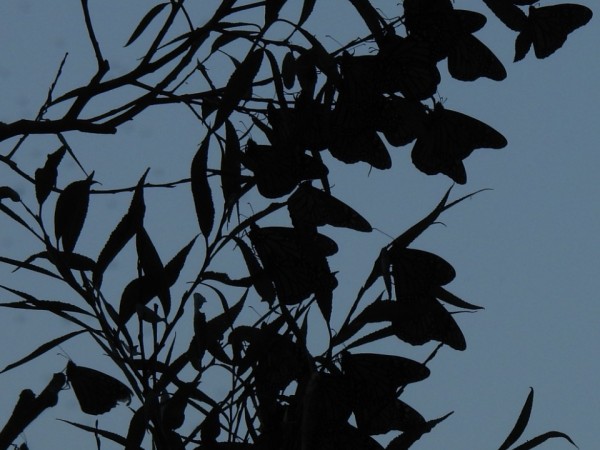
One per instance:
(527, 250)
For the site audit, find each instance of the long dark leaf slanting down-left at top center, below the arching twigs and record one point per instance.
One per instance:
(238, 84)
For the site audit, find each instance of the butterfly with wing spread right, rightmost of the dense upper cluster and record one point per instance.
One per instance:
(449, 138)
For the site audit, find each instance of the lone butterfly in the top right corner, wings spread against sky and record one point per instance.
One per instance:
(547, 28)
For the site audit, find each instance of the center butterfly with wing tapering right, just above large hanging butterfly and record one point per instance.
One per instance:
(311, 207)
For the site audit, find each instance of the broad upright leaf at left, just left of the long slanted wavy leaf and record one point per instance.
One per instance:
(71, 211)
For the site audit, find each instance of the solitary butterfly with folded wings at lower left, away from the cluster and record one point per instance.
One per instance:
(96, 392)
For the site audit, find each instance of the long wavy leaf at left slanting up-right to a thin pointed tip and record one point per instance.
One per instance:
(127, 228)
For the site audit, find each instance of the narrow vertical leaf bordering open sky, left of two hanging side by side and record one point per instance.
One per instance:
(205, 209)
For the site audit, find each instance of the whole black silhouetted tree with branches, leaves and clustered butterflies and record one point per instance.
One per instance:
(264, 126)
